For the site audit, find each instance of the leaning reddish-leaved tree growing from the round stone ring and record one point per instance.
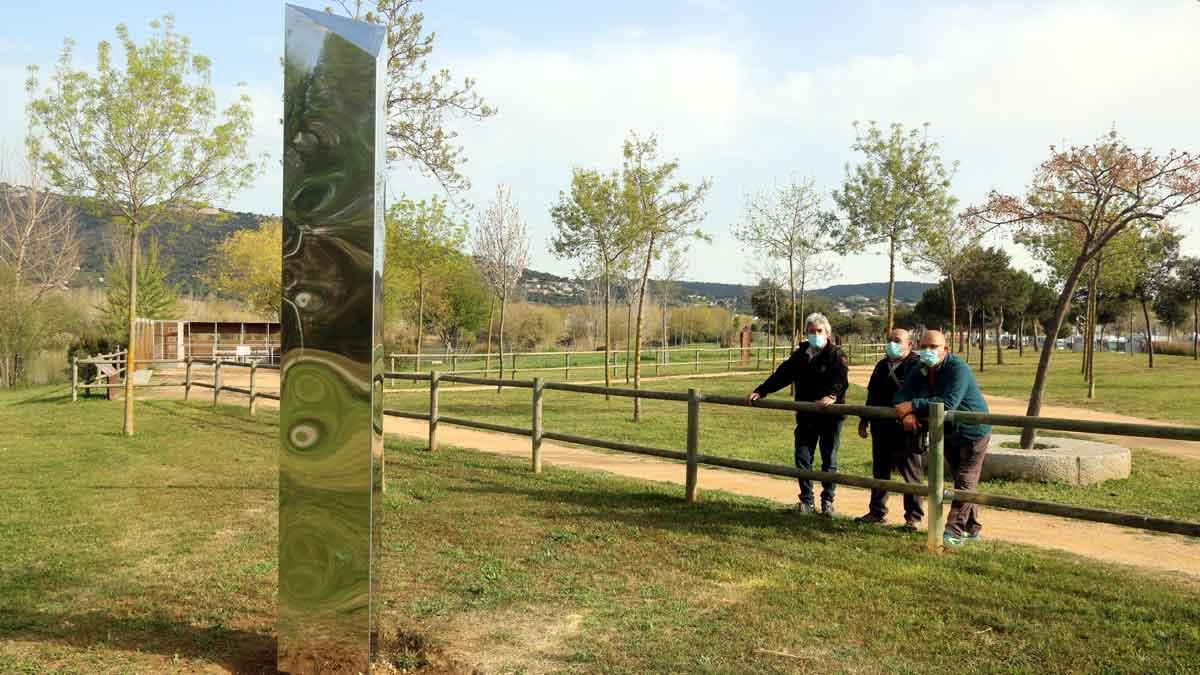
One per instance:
(1090, 195)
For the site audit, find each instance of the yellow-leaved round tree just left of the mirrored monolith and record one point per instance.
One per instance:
(248, 267)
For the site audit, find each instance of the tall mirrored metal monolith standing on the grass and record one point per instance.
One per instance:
(332, 368)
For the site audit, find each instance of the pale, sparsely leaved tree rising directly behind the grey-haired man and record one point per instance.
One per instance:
(789, 224)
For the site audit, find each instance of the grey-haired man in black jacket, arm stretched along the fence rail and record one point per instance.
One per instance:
(818, 371)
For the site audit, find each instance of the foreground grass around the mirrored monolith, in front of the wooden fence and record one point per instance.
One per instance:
(158, 555)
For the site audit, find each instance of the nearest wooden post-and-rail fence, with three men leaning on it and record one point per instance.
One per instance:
(934, 488)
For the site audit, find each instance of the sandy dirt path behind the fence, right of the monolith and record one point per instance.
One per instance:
(1165, 553)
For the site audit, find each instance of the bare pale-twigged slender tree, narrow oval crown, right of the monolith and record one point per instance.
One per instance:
(502, 249)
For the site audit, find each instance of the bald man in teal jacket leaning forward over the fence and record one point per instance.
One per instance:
(944, 378)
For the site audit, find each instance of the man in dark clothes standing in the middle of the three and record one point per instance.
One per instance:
(892, 447)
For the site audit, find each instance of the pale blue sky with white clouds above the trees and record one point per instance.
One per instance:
(747, 94)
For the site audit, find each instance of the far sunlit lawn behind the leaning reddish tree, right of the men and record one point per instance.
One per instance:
(1124, 384)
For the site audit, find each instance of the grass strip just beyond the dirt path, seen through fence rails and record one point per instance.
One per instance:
(1160, 485)
